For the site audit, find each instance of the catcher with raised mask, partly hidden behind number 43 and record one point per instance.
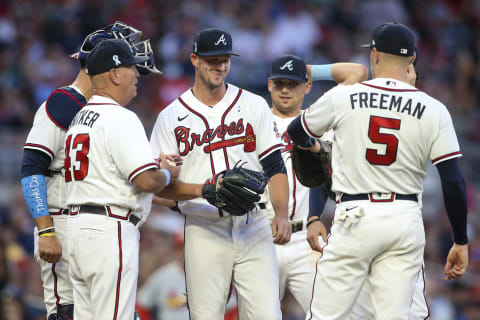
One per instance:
(42, 177)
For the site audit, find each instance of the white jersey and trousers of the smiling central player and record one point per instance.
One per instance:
(221, 249)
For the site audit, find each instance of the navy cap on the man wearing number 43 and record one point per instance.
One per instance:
(109, 54)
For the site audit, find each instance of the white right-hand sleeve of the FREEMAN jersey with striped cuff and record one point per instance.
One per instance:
(445, 145)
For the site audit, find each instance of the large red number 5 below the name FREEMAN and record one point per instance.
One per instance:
(390, 140)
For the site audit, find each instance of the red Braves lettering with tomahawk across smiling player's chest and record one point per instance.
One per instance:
(187, 140)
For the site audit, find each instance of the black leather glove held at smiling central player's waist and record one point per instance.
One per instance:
(237, 192)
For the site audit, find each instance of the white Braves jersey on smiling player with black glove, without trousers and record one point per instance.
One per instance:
(239, 128)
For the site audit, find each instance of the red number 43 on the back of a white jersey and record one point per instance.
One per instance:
(79, 171)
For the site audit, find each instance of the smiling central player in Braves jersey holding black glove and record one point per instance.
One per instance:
(213, 126)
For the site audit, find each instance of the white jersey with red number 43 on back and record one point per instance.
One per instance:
(106, 149)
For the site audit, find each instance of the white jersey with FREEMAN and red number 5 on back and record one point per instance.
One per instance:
(386, 116)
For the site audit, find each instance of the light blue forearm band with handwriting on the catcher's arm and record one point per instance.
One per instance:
(35, 194)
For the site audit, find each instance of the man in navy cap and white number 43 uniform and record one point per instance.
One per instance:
(110, 173)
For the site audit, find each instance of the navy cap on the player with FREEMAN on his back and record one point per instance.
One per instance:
(394, 38)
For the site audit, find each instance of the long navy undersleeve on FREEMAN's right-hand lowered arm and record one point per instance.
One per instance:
(455, 198)
